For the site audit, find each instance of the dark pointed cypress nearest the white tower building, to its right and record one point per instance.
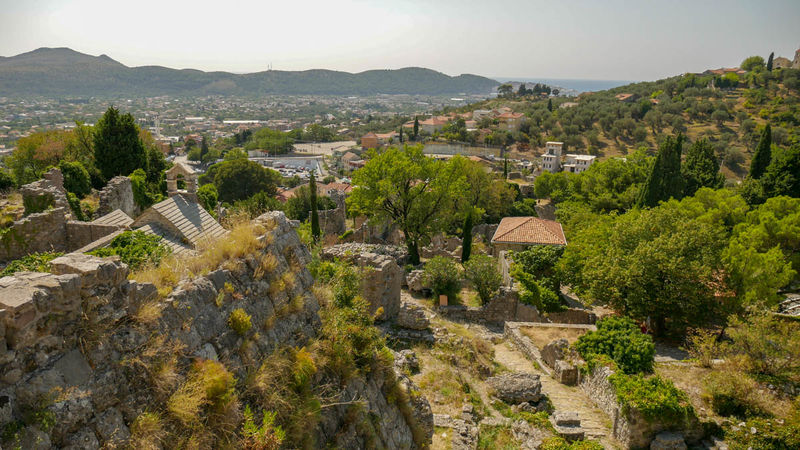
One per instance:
(664, 181)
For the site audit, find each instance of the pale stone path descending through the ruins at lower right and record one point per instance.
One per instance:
(563, 398)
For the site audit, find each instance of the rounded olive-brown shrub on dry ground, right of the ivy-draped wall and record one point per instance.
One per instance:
(733, 393)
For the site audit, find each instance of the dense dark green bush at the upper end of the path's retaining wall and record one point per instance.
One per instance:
(621, 340)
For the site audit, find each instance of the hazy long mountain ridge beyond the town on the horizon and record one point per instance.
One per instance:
(65, 72)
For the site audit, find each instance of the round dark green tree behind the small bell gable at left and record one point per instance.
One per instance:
(241, 178)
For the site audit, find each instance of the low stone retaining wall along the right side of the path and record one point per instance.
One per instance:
(629, 427)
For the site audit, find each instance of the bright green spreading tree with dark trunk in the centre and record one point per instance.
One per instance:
(414, 191)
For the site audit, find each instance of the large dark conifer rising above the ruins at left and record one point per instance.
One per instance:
(118, 149)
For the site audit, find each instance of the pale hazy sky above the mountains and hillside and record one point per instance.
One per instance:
(600, 39)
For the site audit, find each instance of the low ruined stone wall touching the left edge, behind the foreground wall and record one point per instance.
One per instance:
(40, 232)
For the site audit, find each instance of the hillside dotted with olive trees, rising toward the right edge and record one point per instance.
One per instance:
(729, 113)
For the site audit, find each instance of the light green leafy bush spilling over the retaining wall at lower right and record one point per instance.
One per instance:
(654, 397)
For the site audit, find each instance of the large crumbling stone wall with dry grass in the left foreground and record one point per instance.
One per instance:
(71, 337)
